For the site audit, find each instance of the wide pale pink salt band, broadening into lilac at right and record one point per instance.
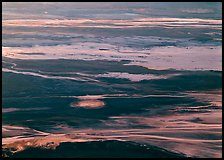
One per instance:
(190, 58)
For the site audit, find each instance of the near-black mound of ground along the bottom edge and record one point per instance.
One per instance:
(96, 149)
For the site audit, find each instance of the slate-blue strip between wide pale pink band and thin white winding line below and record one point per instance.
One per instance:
(93, 67)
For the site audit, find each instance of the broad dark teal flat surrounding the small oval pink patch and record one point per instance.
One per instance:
(26, 91)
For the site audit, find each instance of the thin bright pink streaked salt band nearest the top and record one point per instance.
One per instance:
(141, 22)
